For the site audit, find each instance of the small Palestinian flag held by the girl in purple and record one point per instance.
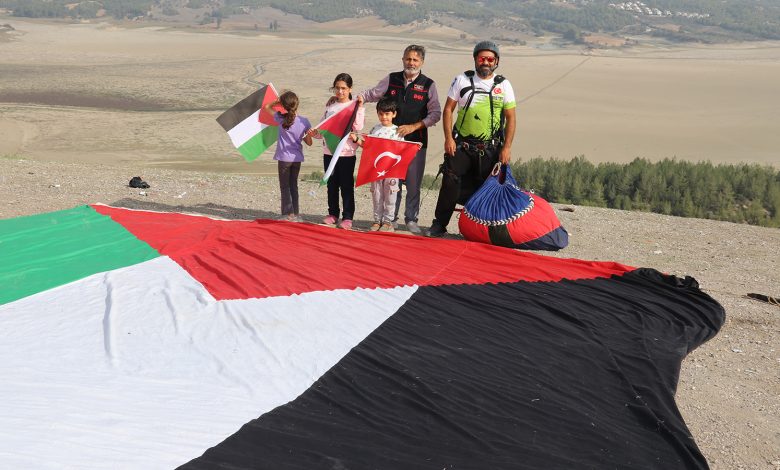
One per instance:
(250, 129)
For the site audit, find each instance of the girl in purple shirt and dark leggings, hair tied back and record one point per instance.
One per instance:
(293, 130)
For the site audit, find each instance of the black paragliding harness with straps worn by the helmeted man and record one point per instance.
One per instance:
(476, 148)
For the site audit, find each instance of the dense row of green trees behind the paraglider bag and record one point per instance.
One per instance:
(735, 193)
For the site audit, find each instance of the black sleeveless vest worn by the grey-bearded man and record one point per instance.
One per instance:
(412, 103)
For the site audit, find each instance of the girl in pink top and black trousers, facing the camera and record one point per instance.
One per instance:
(342, 180)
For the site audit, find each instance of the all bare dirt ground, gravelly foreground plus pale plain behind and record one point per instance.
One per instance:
(85, 107)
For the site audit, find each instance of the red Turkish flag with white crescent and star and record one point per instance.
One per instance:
(385, 158)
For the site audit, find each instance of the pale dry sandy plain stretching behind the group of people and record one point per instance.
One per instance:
(147, 96)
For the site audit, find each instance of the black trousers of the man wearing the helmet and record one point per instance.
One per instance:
(463, 174)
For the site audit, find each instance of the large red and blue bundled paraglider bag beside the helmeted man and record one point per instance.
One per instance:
(500, 213)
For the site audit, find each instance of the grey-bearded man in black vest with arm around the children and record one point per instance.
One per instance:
(418, 109)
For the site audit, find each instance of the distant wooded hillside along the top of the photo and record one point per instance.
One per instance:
(745, 18)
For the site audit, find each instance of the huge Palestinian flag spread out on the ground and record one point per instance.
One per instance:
(132, 339)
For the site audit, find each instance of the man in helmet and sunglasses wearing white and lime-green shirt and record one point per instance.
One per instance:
(482, 133)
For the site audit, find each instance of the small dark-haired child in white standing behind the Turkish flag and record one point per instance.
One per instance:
(384, 191)
